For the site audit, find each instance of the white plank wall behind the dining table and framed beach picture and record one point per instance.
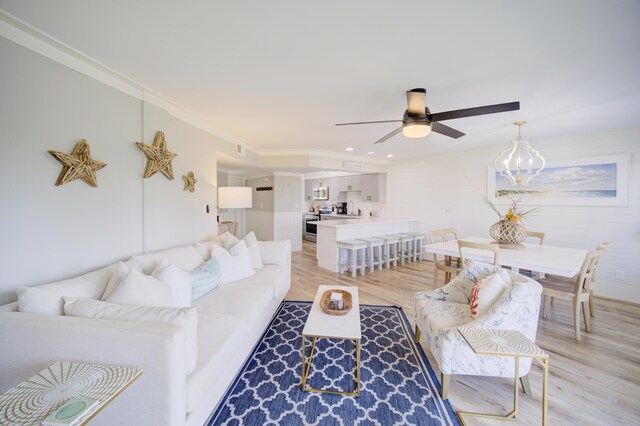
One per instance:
(446, 191)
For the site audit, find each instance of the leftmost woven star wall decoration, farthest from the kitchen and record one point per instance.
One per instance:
(78, 165)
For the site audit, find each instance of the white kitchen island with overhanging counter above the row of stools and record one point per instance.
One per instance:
(330, 231)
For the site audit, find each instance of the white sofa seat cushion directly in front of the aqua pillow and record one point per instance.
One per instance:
(247, 301)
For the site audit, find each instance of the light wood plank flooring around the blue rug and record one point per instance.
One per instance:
(593, 382)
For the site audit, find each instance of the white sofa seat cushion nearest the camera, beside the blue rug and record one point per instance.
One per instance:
(219, 338)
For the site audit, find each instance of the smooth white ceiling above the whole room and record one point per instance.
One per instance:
(278, 75)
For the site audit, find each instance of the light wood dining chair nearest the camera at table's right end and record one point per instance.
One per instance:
(579, 289)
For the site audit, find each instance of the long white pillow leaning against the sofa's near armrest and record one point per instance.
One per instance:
(182, 317)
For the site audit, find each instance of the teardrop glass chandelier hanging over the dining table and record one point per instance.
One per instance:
(519, 163)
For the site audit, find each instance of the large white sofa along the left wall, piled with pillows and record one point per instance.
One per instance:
(231, 318)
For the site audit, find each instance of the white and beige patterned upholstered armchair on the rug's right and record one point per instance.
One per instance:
(440, 312)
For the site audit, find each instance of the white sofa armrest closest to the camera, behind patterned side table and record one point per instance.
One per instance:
(32, 342)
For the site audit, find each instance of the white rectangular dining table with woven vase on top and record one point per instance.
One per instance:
(562, 261)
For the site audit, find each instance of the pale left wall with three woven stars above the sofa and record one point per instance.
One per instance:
(50, 232)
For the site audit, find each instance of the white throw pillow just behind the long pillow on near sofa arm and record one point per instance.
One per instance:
(139, 289)
